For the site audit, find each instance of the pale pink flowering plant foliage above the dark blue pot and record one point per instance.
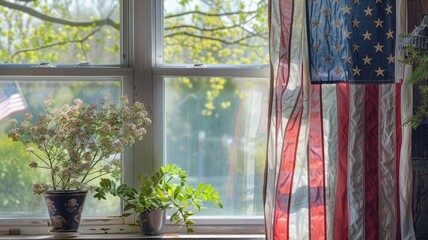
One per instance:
(80, 142)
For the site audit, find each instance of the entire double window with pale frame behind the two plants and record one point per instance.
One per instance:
(200, 67)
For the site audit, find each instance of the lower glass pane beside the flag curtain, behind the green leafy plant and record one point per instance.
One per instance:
(216, 130)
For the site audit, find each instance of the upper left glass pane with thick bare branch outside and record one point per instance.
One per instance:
(60, 31)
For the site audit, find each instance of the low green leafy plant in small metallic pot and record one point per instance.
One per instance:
(165, 189)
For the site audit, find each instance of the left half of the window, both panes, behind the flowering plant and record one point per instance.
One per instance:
(59, 50)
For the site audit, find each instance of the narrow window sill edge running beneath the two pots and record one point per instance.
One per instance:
(139, 236)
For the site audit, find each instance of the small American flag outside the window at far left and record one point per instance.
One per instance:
(11, 100)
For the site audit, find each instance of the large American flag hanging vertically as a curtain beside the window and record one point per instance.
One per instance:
(338, 162)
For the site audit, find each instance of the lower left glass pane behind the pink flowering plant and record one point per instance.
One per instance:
(16, 177)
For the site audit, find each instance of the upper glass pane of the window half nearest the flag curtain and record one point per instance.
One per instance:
(216, 32)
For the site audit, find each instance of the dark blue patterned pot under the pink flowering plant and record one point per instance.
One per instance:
(65, 209)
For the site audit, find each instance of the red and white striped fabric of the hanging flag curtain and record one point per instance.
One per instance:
(338, 162)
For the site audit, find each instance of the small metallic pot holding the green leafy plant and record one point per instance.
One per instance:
(152, 222)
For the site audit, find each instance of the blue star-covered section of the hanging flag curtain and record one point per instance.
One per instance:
(352, 41)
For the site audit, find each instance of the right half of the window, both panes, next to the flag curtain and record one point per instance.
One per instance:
(211, 61)
